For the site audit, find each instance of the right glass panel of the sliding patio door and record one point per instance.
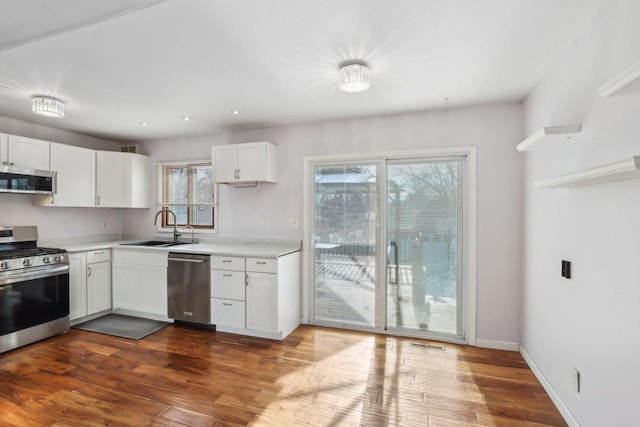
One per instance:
(423, 229)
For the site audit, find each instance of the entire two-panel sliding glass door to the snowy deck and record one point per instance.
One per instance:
(388, 245)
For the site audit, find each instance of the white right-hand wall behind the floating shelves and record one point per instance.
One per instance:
(591, 320)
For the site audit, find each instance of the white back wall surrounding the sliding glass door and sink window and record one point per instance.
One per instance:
(495, 130)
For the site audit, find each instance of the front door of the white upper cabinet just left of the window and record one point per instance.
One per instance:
(112, 179)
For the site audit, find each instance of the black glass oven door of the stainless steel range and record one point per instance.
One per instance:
(35, 298)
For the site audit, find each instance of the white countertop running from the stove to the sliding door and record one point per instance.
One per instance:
(231, 247)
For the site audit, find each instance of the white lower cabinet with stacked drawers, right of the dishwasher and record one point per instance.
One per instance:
(256, 296)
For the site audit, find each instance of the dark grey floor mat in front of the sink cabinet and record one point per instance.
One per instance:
(118, 325)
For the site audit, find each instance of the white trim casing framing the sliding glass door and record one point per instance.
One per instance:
(471, 224)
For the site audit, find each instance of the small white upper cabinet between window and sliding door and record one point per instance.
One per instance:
(251, 162)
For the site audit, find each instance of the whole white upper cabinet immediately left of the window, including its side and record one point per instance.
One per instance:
(122, 180)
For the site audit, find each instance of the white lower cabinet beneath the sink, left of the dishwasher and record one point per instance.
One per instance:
(140, 282)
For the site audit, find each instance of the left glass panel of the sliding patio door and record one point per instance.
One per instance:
(345, 244)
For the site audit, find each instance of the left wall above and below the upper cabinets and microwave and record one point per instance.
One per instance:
(56, 223)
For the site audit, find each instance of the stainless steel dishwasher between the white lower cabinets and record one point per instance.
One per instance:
(189, 288)
